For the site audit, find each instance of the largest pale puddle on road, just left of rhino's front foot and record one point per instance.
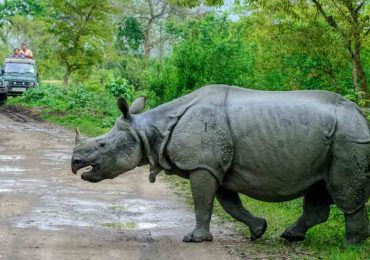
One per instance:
(56, 212)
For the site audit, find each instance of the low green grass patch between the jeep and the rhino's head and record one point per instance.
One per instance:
(94, 112)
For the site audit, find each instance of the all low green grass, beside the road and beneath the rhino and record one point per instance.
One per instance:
(96, 114)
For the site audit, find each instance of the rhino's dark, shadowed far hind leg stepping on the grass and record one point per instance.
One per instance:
(316, 209)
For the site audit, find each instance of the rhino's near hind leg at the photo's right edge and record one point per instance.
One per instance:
(349, 186)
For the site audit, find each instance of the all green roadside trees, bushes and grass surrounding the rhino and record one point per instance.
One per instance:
(99, 50)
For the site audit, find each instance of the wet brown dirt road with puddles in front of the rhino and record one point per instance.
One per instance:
(48, 213)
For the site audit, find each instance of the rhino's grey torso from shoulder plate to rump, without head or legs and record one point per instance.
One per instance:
(261, 142)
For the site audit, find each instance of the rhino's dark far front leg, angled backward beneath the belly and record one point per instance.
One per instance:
(231, 203)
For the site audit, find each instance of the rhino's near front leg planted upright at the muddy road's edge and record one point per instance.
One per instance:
(203, 188)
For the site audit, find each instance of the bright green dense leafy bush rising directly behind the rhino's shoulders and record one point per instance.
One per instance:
(212, 51)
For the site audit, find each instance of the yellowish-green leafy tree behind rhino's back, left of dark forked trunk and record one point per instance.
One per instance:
(295, 49)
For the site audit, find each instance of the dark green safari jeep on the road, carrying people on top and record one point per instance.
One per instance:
(19, 75)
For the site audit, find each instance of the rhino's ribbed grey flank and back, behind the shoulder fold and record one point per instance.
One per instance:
(282, 140)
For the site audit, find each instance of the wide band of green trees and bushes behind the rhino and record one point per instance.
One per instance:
(277, 47)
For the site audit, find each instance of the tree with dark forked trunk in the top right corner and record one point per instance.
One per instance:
(348, 18)
